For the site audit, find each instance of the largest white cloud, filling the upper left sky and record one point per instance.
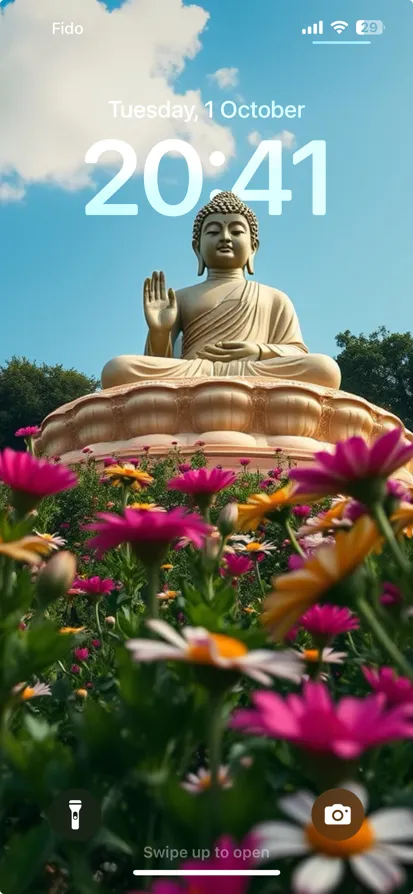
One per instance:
(54, 102)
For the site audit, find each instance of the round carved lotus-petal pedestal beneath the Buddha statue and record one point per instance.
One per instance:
(233, 417)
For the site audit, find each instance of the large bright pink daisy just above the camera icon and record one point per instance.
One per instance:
(312, 721)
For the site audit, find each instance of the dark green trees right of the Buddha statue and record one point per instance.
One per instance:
(379, 367)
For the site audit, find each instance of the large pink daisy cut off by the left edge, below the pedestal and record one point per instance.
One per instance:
(33, 479)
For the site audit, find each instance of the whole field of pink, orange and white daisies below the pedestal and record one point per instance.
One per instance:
(205, 652)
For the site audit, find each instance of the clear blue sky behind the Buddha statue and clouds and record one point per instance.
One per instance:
(71, 285)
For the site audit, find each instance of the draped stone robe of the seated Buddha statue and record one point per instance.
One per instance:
(248, 312)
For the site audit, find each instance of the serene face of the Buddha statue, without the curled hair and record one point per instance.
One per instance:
(225, 241)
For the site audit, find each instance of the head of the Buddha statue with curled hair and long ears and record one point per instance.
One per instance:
(225, 234)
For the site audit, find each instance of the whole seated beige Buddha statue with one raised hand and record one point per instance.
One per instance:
(231, 326)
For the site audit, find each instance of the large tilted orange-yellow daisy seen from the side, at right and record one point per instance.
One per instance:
(294, 592)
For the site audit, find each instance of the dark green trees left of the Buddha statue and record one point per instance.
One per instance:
(29, 392)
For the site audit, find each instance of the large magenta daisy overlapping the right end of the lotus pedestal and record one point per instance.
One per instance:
(355, 468)
